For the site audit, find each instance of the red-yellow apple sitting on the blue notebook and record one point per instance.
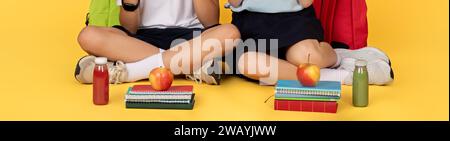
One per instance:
(308, 74)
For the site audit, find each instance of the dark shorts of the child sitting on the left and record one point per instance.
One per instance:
(164, 38)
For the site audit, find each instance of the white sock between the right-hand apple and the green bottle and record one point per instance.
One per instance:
(334, 75)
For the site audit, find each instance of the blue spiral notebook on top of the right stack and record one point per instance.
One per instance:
(325, 88)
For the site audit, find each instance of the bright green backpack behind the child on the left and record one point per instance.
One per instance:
(103, 13)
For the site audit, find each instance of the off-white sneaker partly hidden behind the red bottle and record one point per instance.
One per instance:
(84, 71)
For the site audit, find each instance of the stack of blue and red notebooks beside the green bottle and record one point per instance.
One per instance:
(291, 95)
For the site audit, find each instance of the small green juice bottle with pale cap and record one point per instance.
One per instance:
(360, 84)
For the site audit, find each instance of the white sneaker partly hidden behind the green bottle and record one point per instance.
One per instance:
(380, 72)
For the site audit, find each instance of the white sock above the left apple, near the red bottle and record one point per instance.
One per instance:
(140, 70)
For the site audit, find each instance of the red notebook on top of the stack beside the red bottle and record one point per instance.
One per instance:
(147, 89)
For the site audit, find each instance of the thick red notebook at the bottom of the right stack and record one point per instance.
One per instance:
(306, 106)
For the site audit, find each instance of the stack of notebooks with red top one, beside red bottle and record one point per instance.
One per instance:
(144, 96)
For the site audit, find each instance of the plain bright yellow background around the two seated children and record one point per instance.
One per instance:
(39, 51)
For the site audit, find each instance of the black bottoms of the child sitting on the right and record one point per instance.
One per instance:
(288, 28)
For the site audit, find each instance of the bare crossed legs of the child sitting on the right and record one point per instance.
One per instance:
(321, 54)
